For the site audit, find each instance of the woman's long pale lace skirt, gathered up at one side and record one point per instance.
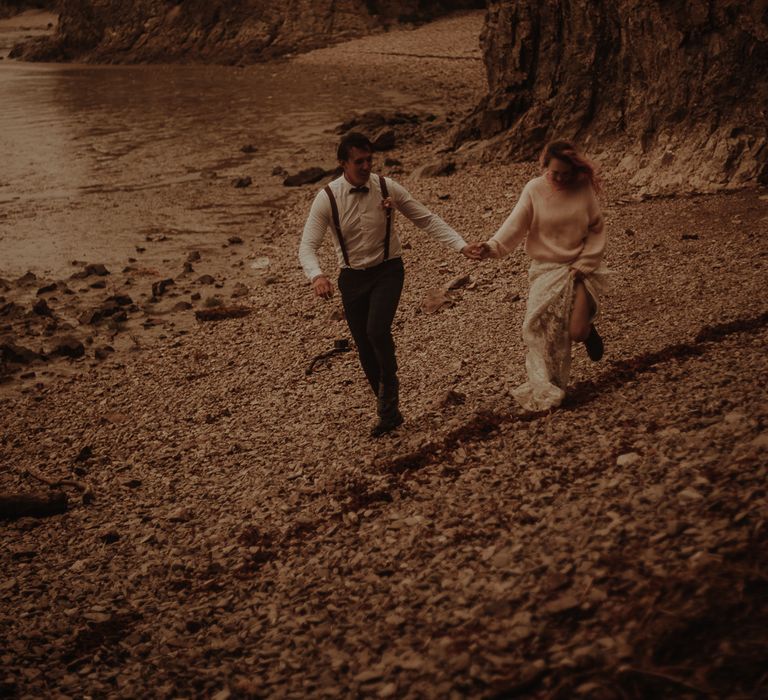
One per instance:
(545, 331)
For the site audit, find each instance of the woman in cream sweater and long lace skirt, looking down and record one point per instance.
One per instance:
(559, 217)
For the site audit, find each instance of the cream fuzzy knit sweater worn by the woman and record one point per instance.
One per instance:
(562, 226)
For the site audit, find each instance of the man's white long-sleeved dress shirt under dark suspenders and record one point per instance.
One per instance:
(363, 225)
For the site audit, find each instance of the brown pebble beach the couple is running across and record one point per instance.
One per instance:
(247, 539)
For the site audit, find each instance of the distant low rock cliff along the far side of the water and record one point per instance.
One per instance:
(113, 31)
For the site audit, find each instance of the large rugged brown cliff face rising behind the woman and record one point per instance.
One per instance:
(672, 93)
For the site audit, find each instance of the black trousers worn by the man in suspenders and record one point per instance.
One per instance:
(370, 298)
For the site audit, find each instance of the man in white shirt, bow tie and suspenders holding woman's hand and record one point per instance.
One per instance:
(359, 210)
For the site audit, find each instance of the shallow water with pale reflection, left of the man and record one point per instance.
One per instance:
(96, 158)
